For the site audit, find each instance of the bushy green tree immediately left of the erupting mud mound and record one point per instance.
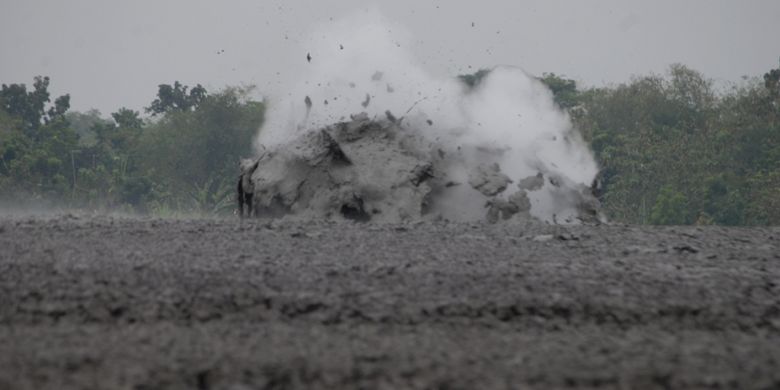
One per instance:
(193, 154)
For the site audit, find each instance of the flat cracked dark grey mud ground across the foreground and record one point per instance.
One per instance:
(108, 303)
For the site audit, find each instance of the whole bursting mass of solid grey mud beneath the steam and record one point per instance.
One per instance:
(380, 171)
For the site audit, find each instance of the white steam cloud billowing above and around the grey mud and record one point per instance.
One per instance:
(363, 63)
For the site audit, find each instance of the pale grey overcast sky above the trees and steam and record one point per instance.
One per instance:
(108, 54)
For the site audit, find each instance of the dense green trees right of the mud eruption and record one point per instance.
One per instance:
(673, 150)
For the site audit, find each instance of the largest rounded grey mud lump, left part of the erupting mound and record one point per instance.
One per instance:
(360, 170)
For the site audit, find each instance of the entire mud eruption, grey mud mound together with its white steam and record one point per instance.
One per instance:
(366, 134)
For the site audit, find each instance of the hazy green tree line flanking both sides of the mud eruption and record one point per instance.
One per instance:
(672, 148)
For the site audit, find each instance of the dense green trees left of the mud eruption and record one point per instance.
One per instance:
(183, 161)
